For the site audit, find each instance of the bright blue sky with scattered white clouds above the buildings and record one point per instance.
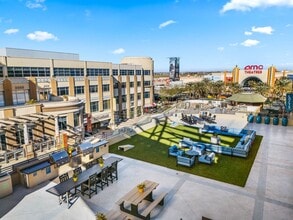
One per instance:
(207, 35)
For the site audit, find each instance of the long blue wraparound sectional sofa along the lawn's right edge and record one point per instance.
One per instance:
(241, 149)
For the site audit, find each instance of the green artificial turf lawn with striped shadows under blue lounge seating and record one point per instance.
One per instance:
(152, 146)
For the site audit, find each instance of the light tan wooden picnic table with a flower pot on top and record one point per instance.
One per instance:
(134, 198)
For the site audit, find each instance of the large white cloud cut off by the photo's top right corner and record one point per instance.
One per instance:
(247, 5)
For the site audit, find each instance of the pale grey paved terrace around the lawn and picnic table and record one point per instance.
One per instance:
(267, 194)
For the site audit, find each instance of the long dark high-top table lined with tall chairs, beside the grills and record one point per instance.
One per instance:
(65, 187)
